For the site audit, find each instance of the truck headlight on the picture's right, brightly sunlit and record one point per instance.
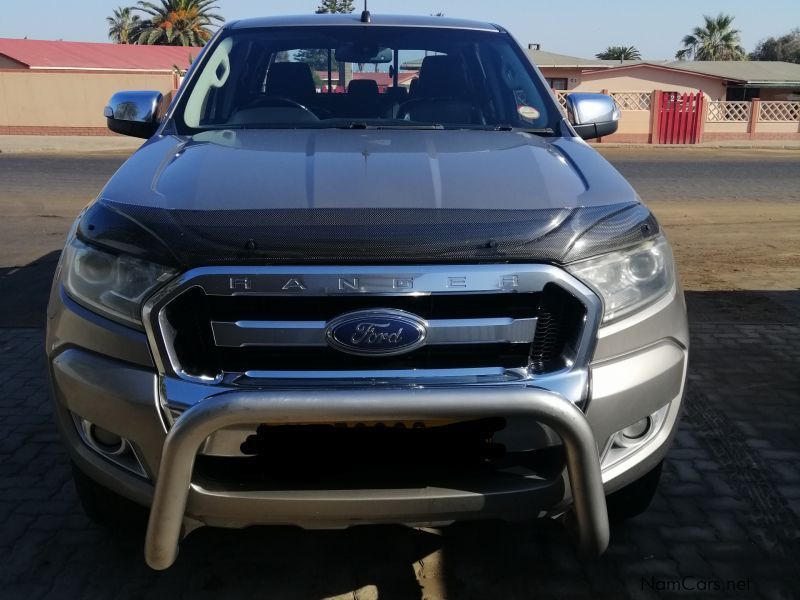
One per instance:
(631, 279)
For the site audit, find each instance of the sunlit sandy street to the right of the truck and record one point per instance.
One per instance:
(732, 215)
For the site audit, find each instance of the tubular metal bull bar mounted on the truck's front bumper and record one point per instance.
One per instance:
(410, 404)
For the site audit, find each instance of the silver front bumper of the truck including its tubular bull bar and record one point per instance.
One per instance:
(120, 392)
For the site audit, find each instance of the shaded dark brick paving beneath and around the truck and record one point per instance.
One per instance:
(728, 507)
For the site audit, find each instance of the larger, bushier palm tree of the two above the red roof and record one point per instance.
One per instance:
(178, 22)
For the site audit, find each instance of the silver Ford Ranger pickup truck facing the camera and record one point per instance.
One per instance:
(364, 270)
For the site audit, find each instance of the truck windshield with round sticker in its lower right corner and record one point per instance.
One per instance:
(365, 77)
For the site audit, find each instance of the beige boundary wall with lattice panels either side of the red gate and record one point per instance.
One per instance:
(721, 120)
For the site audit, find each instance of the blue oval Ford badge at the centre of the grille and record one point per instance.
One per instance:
(381, 332)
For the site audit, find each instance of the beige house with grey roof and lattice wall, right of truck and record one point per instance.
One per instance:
(743, 100)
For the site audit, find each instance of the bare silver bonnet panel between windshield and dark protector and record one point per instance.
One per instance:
(335, 169)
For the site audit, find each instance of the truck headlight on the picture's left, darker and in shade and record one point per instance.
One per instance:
(113, 285)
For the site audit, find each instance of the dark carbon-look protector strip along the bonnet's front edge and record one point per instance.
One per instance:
(193, 238)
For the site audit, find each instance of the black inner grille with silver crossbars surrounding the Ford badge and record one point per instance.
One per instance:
(199, 328)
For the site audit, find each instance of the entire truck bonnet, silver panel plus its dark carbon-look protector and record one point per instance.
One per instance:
(360, 196)
